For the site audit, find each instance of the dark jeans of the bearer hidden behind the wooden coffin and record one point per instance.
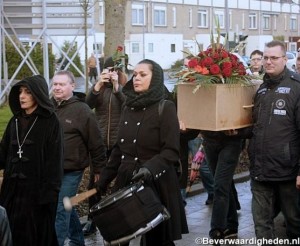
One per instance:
(222, 156)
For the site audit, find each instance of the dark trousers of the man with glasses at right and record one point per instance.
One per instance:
(264, 195)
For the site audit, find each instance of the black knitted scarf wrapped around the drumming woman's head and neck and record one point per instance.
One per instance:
(154, 94)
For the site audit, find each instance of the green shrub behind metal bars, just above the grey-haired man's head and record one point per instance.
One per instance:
(72, 50)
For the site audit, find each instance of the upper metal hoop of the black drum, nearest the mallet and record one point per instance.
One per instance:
(118, 195)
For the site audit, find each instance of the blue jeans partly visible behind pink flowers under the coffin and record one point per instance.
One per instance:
(205, 173)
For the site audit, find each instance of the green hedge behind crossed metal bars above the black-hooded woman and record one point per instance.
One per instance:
(14, 59)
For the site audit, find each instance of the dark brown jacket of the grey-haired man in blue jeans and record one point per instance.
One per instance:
(82, 137)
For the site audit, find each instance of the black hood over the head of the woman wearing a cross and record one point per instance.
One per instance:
(39, 90)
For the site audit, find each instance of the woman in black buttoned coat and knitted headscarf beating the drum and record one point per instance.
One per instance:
(148, 145)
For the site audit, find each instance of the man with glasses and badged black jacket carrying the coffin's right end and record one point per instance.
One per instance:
(274, 149)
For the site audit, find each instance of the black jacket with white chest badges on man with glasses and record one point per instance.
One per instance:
(274, 148)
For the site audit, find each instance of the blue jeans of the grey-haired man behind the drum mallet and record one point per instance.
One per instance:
(67, 223)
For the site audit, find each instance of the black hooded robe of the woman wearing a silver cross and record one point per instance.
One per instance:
(31, 183)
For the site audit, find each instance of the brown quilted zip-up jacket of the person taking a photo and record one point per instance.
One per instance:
(108, 107)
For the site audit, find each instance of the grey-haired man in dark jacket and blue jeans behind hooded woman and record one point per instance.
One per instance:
(83, 144)
